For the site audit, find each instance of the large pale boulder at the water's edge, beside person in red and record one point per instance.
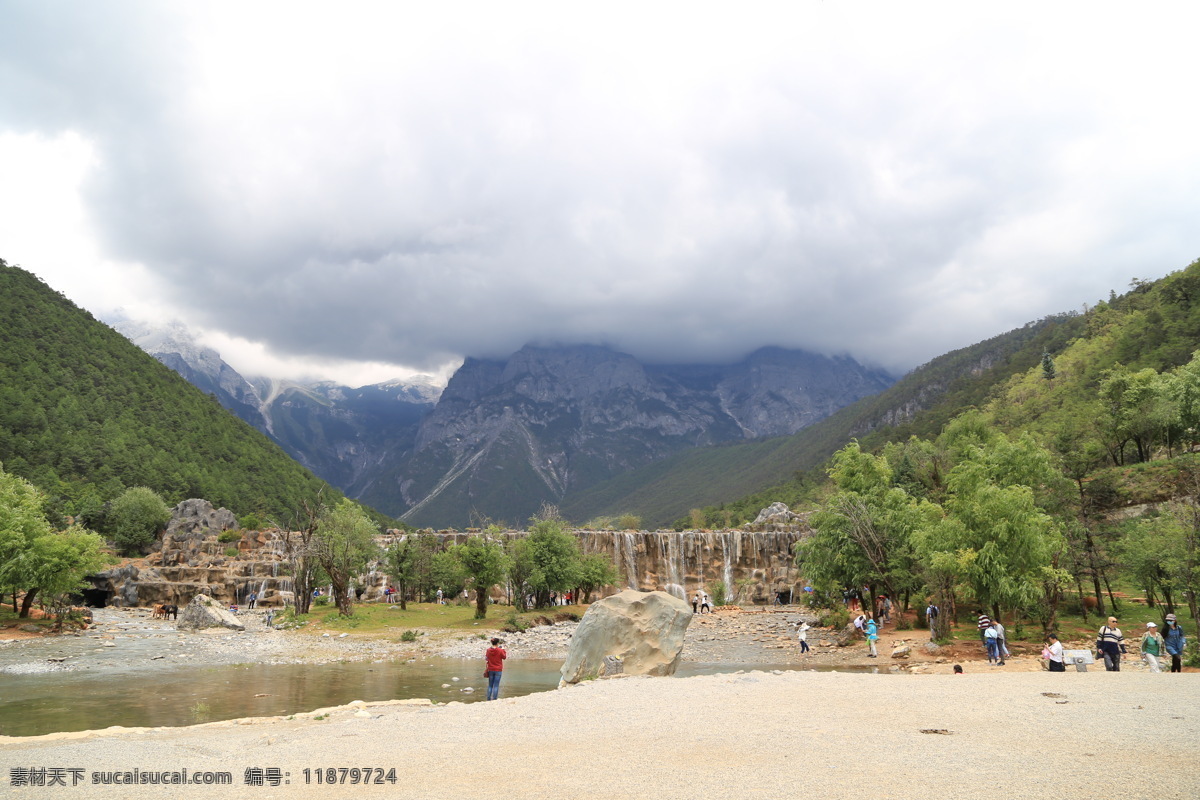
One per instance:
(644, 630)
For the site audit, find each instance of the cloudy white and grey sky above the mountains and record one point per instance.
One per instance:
(363, 191)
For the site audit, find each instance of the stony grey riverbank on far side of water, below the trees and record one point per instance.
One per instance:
(129, 640)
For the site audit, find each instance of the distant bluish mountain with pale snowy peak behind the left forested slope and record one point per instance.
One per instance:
(345, 436)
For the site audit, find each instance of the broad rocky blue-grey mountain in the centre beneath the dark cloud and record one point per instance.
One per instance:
(548, 423)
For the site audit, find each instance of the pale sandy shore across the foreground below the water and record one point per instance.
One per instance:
(751, 736)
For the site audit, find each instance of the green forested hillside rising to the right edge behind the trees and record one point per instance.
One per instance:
(1100, 388)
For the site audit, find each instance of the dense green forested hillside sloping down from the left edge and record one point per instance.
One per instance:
(85, 416)
